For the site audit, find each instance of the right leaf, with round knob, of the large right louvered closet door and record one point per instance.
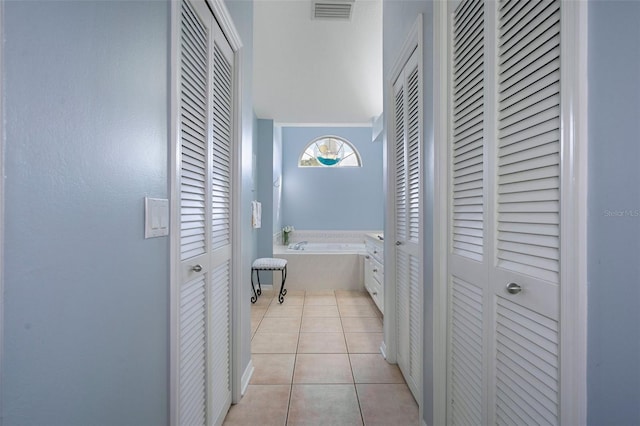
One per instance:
(527, 252)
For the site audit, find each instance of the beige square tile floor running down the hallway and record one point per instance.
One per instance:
(317, 362)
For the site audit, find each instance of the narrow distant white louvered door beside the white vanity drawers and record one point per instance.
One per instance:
(408, 219)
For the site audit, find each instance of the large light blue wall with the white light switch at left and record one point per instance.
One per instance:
(86, 302)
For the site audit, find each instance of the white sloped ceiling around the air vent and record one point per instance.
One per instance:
(310, 71)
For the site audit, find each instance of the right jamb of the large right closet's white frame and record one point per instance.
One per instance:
(574, 186)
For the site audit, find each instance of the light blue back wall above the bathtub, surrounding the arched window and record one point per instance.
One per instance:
(332, 198)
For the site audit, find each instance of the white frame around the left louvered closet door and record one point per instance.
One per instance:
(223, 18)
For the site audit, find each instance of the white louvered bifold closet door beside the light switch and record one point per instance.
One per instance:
(204, 394)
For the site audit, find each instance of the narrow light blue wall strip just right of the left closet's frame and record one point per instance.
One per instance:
(242, 14)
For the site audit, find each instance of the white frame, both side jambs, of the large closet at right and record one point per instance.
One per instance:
(574, 162)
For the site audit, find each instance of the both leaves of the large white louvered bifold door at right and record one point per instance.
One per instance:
(504, 322)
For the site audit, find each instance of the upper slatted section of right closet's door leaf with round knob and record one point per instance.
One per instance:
(528, 154)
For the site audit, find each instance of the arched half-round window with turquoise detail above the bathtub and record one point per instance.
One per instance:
(330, 151)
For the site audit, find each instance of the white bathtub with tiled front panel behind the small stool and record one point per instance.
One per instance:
(324, 266)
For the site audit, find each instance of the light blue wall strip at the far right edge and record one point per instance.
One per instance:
(614, 188)
